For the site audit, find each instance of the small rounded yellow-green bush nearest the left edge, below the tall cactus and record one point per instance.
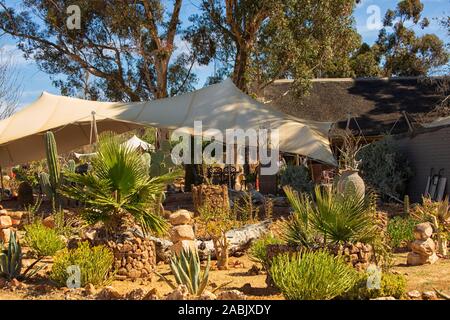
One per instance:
(43, 241)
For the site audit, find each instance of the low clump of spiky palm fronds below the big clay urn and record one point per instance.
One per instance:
(339, 218)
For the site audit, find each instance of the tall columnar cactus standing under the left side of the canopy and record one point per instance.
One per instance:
(53, 165)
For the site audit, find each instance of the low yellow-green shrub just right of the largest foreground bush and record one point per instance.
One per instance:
(392, 285)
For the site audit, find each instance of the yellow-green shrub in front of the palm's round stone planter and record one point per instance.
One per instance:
(95, 264)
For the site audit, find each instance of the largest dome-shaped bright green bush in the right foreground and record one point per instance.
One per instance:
(312, 275)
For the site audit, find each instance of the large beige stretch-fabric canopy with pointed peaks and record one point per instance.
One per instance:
(221, 106)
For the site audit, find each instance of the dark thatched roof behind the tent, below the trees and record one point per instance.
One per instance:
(377, 104)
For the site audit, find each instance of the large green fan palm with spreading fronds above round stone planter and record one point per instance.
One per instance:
(119, 185)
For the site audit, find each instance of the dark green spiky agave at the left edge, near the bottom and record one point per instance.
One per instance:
(11, 258)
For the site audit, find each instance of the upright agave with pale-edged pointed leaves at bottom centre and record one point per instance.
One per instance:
(186, 269)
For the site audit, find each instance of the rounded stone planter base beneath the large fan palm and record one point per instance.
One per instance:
(134, 258)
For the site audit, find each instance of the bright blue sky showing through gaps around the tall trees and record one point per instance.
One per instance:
(36, 81)
